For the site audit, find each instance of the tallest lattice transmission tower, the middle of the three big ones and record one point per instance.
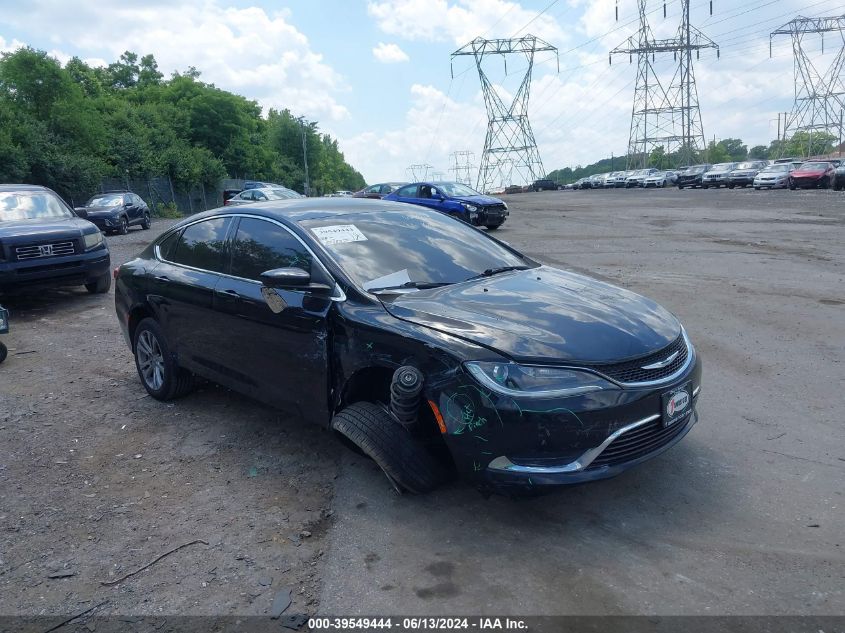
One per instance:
(665, 114)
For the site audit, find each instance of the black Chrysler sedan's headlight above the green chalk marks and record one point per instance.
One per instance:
(538, 382)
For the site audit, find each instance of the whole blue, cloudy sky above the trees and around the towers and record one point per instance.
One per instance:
(378, 75)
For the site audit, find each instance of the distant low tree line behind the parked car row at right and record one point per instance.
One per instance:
(724, 151)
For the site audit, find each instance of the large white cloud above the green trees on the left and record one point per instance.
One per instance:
(246, 50)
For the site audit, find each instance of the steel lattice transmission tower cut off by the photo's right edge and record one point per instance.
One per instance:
(818, 96)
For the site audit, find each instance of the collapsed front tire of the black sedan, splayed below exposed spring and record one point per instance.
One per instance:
(406, 463)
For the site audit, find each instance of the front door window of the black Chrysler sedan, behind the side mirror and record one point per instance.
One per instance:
(260, 246)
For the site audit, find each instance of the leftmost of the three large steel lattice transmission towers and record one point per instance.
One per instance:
(509, 141)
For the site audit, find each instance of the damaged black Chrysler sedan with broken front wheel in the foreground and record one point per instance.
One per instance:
(428, 344)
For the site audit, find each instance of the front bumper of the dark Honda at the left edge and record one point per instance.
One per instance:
(71, 270)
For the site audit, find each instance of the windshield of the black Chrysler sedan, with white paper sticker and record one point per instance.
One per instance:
(392, 248)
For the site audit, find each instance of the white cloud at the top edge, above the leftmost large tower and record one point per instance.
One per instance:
(461, 21)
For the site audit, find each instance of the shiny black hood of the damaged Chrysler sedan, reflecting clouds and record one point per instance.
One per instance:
(544, 315)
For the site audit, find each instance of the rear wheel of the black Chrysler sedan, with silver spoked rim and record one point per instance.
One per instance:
(175, 381)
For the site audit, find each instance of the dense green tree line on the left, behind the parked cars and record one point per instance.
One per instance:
(69, 127)
